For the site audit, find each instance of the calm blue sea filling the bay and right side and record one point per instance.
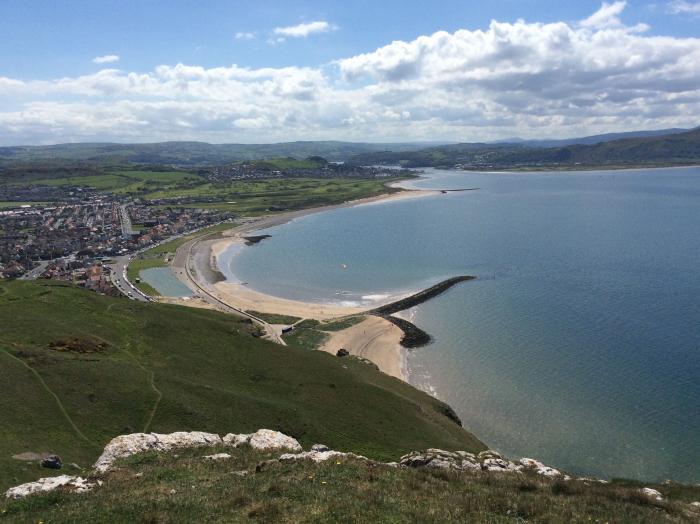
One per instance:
(578, 345)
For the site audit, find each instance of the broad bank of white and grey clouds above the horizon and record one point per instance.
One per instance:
(527, 79)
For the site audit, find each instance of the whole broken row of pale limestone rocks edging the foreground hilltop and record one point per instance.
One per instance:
(486, 462)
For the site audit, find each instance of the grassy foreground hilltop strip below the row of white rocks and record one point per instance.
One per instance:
(155, 487)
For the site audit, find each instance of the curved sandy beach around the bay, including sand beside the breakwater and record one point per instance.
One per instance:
(374, 338)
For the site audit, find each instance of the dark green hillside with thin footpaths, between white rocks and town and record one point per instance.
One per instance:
(171, 368)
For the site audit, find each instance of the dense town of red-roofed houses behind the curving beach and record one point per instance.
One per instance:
(74, 242)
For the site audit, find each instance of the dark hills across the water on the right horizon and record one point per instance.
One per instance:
(672, 149)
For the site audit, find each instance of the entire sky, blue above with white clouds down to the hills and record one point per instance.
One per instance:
(262, 71)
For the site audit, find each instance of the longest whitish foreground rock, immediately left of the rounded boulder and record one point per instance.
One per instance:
(127, 445)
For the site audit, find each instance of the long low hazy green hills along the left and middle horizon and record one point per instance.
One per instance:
(193, 153)
